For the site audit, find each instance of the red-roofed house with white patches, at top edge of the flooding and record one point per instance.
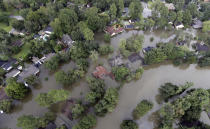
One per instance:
(114, 30)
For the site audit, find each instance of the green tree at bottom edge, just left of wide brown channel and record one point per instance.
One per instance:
(87, 122)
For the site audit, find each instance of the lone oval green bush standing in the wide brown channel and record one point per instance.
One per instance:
(142, 108)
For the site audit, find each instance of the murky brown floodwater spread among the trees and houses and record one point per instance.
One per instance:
(131, 94)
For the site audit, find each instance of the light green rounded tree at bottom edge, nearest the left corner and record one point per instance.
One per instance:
(27, 122)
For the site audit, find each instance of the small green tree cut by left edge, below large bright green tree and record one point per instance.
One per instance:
(6, 105)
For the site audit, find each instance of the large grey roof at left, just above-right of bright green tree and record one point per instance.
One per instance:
(31, 70)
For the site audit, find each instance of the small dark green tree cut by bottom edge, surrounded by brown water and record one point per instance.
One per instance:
(128, 124)
